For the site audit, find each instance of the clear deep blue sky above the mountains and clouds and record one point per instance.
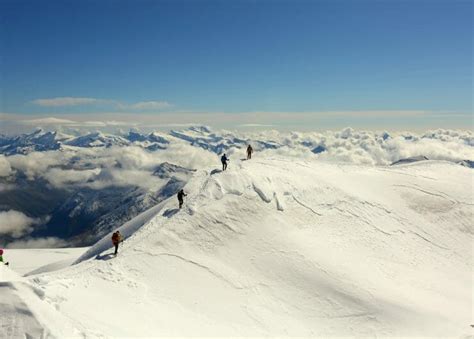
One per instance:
(87, 59)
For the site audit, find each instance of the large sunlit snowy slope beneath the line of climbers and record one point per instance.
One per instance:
(286, 247)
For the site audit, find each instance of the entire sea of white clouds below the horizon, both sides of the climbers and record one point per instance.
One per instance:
(97, 168)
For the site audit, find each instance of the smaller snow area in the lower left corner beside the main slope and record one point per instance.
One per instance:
(23, 313)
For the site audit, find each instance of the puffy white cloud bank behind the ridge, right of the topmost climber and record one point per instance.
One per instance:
(368, 147)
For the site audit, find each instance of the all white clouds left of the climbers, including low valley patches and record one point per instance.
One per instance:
(93, 168)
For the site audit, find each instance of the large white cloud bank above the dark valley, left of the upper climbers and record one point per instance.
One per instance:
(110, 166)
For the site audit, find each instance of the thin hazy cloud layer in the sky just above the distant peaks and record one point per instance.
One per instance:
(110, 113)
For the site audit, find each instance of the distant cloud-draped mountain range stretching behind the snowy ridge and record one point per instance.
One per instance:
(75, 187)
